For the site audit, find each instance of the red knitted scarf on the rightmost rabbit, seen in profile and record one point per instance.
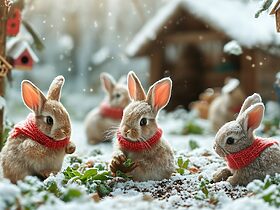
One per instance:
(246, 156)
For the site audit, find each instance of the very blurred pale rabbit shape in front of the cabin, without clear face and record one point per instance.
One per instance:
(225, 107)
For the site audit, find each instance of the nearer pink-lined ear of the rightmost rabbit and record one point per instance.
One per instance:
(252, 117)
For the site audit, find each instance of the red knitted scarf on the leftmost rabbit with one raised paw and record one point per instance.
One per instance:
(28, 128)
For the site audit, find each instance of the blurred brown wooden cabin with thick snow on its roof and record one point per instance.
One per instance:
(185, 41)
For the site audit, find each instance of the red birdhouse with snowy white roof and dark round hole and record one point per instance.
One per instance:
(21, 54)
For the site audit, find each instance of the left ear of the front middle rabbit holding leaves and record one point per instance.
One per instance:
(135, 89)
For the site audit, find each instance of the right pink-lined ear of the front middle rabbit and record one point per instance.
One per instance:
(159, 94)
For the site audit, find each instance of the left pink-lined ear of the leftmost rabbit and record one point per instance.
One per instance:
(32, 97)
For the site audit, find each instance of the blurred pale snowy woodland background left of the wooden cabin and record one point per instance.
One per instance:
(81, 39)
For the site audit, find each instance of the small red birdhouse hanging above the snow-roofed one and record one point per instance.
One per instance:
(13, 22)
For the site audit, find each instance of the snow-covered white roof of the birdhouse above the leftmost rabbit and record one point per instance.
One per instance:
(16, 46)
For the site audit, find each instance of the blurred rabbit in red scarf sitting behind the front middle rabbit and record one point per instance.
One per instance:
(101, 120)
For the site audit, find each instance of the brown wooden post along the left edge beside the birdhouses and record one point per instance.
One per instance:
(3, 23)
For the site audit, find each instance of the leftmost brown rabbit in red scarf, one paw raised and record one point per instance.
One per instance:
(37, 146)
